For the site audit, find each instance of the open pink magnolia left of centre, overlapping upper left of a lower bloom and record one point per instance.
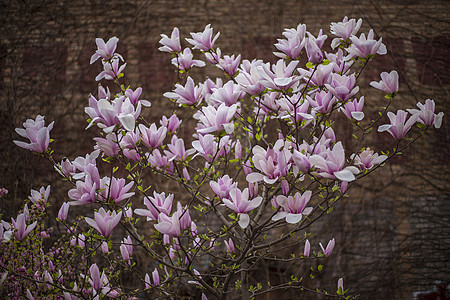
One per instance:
(157, 204)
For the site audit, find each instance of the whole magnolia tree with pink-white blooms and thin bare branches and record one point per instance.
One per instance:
(262, 165)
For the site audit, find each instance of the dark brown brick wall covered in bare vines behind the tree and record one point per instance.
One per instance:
(393, 233)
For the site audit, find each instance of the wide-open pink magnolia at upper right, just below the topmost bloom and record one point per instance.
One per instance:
(365, 47)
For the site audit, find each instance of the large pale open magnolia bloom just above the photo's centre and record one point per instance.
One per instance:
(216, 120)
